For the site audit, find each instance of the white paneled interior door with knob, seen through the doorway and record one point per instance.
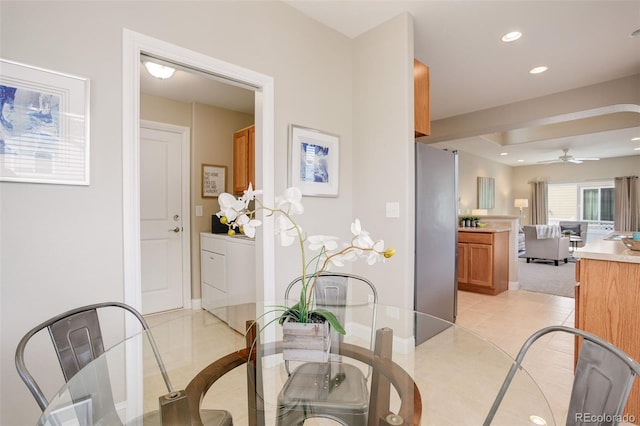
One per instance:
(163, 242)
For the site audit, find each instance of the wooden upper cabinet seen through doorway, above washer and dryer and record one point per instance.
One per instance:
(244, 161)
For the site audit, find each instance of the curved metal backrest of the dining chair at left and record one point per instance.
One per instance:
(77, 340)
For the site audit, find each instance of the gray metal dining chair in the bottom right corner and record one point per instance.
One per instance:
(602, 381)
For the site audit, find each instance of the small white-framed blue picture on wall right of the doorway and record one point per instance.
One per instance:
(314, 161)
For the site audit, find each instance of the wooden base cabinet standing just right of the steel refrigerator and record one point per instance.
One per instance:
(483, 261)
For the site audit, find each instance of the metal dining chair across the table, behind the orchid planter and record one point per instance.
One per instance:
(333, 390)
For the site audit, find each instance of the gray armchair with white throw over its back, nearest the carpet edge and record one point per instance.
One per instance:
(545, 246)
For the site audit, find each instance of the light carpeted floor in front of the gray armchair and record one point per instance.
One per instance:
(546, 278)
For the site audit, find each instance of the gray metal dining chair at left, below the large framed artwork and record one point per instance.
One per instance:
(77, 340)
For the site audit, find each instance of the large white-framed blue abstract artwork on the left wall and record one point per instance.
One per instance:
(44, 126)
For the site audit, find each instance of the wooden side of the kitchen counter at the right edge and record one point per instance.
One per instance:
(607, 305)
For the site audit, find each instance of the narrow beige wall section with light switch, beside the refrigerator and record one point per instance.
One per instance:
(383, 157)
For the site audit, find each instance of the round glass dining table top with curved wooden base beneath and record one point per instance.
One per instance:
(439, 373)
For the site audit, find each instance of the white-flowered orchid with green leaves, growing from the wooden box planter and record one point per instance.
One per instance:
(319, 252)
